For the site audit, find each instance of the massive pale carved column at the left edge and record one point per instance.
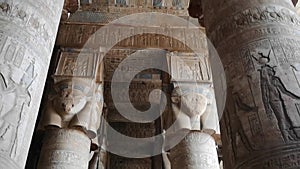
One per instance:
(27, 34)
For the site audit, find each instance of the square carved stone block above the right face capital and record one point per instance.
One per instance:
(189, 68)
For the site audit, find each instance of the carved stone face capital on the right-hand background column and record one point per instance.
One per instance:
(190, 107)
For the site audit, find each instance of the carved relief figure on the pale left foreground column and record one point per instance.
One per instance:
(11, 115)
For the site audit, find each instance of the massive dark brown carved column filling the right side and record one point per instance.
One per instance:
(258, 42)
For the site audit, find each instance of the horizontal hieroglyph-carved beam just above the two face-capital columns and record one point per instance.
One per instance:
(142, 40)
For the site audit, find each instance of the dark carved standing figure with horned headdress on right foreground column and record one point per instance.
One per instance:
(276, 97)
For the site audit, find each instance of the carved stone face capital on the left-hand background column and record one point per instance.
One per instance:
(75, 104)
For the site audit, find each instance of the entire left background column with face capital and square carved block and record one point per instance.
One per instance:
(73, 113)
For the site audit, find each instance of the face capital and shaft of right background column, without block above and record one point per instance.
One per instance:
(198, 149)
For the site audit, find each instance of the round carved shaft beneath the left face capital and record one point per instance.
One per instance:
(58, 149)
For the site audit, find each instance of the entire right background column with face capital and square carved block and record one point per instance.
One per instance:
(194, 105)
